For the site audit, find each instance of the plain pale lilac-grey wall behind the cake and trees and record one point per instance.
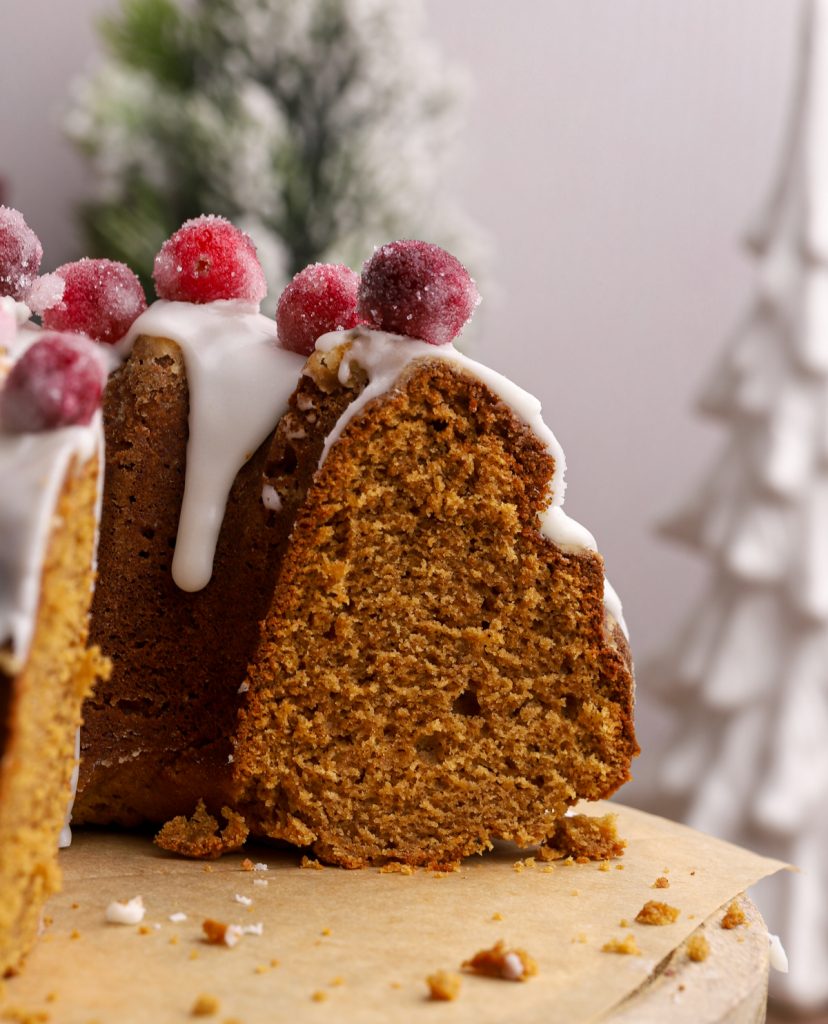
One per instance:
(617, 151)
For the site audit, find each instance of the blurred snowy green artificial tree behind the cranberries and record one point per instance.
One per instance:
(322, 127)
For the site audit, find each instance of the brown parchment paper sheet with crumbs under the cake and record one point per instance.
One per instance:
(357, 947)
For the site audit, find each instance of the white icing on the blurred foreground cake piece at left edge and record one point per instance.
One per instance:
(38, 464)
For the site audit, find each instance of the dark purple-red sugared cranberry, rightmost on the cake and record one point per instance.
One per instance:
(417, 289)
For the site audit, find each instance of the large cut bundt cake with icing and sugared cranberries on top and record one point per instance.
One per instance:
(342, 602)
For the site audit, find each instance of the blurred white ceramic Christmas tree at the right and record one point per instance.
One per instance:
(749, 675)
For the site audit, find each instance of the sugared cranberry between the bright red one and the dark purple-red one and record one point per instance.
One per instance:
(321, 298)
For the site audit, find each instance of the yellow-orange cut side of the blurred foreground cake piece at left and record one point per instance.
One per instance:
(41, 712)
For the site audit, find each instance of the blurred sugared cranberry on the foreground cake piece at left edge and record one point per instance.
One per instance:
(58, 382)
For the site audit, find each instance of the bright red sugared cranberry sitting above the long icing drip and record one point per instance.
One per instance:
(207, 260)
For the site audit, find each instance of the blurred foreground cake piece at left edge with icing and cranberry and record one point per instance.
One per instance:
(51, 447)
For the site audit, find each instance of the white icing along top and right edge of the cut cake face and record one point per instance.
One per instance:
(384, 358)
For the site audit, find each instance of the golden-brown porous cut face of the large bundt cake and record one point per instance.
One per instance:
(433, 673)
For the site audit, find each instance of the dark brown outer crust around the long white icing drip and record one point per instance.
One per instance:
(157, 737)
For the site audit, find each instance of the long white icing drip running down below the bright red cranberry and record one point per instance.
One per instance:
(240, 382)
